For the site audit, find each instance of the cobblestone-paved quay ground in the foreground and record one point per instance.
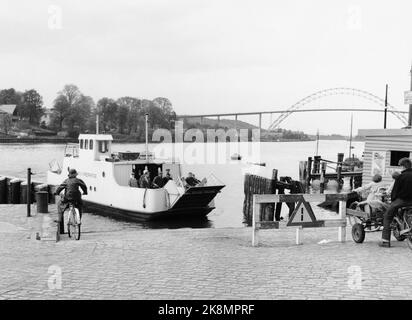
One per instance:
(113, 261)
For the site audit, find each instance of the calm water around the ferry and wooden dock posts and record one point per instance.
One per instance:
(284, 156)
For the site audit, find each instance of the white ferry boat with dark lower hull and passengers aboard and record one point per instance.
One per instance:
(107, 178)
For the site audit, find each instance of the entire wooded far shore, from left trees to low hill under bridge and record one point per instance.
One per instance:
(74, 112)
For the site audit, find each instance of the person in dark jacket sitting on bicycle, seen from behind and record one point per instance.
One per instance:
(72, 194)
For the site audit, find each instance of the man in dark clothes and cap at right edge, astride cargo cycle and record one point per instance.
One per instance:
(401, 196)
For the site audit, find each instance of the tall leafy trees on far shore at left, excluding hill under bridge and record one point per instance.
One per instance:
(74, 112)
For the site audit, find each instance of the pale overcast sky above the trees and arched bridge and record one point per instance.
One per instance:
(214, 56)
